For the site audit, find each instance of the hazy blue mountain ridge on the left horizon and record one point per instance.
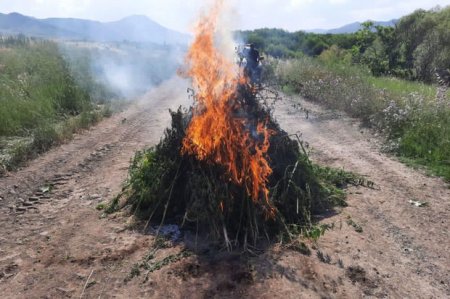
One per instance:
(133, 28)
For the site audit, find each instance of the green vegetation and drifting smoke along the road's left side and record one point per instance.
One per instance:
(49, 90)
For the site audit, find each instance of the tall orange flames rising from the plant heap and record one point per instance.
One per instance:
(217, 132)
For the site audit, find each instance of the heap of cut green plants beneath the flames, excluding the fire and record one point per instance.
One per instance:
(166, 186)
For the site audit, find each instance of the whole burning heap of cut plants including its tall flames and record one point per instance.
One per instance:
(225, 168)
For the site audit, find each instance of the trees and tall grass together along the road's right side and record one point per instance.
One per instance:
(386, 76)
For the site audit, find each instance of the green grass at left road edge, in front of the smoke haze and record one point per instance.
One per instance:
(43, 100)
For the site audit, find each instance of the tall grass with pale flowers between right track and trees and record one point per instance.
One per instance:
(415, 122)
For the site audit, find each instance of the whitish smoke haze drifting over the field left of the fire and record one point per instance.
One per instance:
(126, 69)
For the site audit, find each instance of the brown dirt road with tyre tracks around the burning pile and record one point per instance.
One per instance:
(57, 245)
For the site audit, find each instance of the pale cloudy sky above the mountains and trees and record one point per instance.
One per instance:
(180, 15)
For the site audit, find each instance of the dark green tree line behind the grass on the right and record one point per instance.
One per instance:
(414, 49)
